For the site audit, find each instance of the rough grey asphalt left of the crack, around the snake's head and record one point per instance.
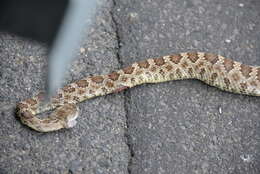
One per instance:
(97, 144)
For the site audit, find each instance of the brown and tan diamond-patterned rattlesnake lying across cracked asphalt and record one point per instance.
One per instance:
(212, 69)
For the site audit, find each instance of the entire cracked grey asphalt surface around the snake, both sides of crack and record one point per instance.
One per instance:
(176, 127)
